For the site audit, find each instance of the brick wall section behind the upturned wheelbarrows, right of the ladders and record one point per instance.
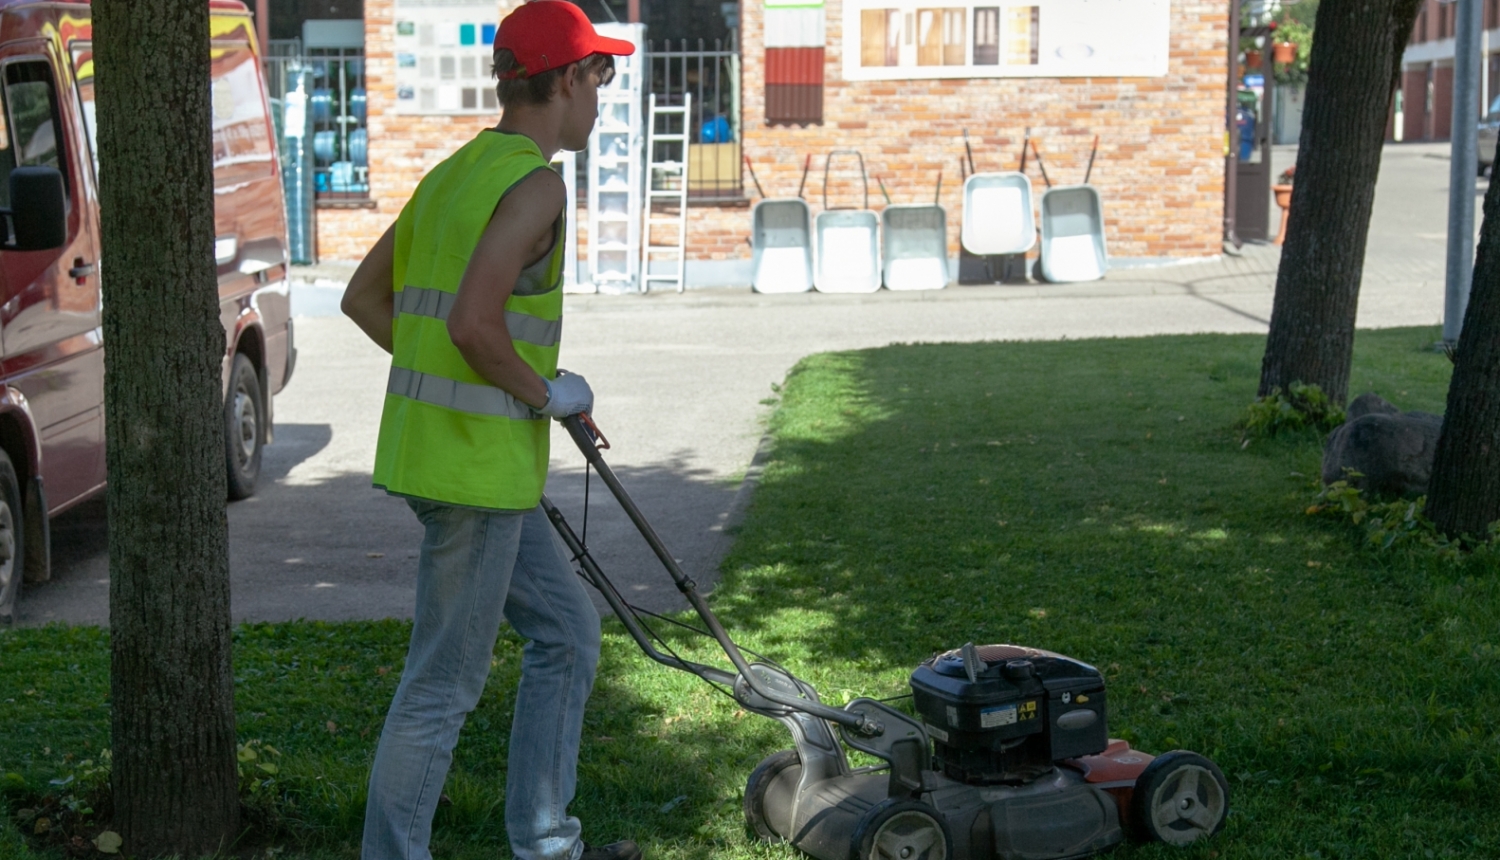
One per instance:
(1162, 140)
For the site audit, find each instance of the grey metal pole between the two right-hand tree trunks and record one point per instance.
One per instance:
(1463, 167)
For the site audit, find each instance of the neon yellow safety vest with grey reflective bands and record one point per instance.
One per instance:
(446, 435)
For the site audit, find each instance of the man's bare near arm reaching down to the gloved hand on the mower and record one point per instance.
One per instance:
(523, 224)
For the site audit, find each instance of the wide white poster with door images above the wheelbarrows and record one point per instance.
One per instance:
(910, 40)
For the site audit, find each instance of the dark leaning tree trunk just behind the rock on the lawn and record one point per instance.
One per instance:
(1355, 65)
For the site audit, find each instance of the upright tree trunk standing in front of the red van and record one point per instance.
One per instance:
(172, 685)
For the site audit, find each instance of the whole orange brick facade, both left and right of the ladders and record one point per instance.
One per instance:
(1160, 164)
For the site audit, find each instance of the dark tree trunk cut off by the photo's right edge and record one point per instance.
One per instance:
(1465, 492)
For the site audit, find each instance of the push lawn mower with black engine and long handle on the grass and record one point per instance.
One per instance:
(1007, 759)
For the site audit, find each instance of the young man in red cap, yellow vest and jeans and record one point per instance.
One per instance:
(466, 293)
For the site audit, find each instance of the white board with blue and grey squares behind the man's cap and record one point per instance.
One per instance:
(445, 53)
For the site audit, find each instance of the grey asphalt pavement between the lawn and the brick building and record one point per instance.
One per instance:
(680, 382)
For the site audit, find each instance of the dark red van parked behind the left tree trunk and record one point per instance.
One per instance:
(52, 350)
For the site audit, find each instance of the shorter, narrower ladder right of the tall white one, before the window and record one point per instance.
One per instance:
(667, 182)
